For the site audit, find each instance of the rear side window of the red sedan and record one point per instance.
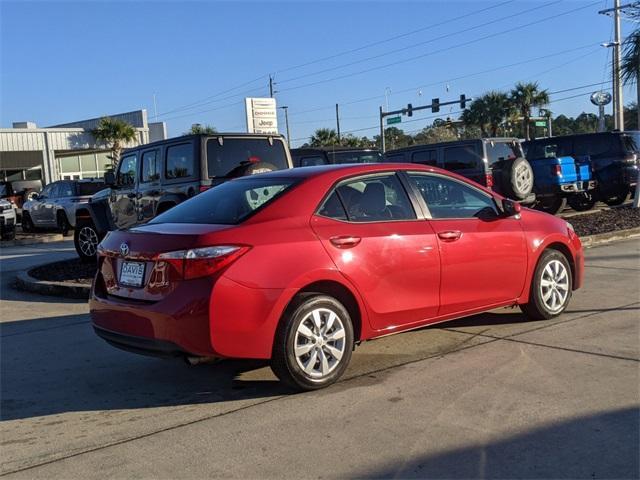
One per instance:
(369, 199)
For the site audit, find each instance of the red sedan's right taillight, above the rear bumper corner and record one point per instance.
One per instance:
(202, 262)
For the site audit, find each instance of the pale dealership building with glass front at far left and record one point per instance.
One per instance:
(66, 151)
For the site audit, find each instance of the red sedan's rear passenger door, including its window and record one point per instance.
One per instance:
(370, 229)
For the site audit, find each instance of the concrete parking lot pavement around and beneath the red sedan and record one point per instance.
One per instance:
(487, 396)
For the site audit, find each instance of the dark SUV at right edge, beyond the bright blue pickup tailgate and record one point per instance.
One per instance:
(614, 160)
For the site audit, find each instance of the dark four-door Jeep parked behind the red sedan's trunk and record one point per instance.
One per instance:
(154, 177)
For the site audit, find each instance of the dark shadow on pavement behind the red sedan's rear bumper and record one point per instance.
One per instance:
(57, 365)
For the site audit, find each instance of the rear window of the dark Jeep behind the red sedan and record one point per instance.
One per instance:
(237, 153)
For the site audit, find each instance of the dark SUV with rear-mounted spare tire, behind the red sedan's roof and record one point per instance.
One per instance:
(496, 163)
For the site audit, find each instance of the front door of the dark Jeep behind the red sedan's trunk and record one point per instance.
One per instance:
(123, 201)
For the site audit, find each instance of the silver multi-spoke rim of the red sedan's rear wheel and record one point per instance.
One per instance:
(319, 342)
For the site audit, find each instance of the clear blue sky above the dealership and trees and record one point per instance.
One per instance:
(68, 61)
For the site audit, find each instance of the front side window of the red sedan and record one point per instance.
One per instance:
(447, 198)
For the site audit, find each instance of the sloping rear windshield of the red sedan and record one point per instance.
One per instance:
(227, 204)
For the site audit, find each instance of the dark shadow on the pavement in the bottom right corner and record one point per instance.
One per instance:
(604, 445)
